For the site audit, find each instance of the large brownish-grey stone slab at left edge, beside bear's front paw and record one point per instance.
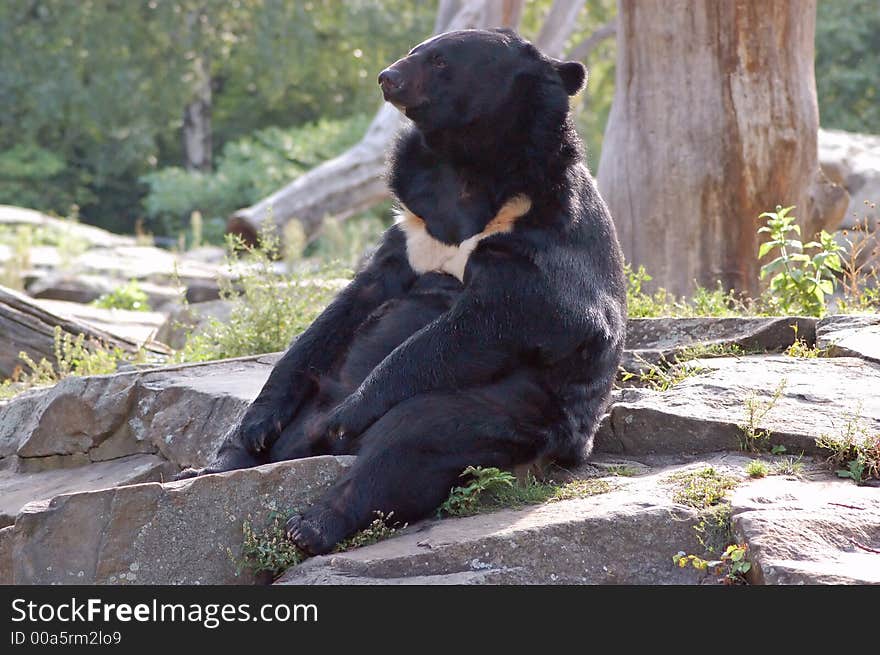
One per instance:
(180, 412)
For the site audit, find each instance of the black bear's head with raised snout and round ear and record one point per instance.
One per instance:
(456, 79)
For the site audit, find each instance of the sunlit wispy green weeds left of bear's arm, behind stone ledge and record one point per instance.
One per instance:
(271, 307)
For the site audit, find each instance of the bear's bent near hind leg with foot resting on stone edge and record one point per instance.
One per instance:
(410, 459)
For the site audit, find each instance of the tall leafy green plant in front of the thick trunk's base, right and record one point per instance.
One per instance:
(800, 282)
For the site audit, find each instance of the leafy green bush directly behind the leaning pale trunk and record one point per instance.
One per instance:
(248, 169)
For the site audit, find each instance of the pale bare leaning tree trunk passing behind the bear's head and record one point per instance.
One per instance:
(353, 181)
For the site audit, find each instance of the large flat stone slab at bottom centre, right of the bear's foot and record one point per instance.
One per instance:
(625, 536)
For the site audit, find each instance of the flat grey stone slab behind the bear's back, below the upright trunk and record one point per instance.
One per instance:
(650, 340)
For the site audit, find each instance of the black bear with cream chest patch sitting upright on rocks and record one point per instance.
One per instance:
(487, 327)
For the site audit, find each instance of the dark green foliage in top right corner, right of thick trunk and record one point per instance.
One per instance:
(847, 64)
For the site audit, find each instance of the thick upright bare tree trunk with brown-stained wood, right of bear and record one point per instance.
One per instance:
(714, 121)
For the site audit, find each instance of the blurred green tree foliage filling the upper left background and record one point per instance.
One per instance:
(101, 102)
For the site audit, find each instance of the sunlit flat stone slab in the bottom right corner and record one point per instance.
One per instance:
(814, 532)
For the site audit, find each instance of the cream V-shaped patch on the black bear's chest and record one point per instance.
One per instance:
(428, 255)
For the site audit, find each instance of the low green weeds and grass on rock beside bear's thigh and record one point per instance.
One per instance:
(490, 489)
